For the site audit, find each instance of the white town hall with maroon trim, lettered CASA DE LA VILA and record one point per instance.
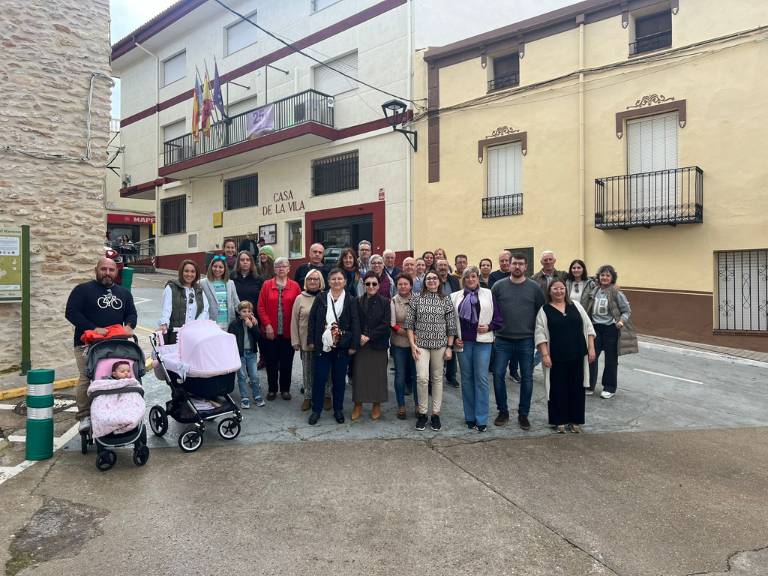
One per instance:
(304, 153)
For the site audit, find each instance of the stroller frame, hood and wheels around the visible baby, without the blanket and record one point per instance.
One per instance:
(98, 365)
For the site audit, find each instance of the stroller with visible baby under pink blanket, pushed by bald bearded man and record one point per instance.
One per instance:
(117, 406)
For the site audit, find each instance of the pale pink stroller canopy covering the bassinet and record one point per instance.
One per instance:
(207, 349)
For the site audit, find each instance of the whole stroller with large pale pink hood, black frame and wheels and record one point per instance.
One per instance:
(200, 369)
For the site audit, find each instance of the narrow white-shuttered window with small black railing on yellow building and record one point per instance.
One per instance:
(505, 194)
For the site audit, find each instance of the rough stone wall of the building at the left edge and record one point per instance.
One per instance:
(49, 49)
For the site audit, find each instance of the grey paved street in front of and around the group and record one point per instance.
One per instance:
(670, 478)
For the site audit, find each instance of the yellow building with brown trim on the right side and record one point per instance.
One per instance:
(623, 132)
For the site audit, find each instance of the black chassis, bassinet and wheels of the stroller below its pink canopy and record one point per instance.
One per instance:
(194, 400)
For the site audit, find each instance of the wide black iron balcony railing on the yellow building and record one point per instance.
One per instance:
(650, 199)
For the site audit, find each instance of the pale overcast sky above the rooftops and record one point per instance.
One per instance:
(438, 22)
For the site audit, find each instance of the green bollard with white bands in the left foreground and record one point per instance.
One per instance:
(40, 414)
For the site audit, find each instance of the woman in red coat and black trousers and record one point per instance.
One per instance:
(274, 310)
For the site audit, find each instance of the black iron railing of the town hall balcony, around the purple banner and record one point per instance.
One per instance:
(307, 106)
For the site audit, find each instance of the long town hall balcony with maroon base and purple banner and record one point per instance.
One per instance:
(295, 122)
